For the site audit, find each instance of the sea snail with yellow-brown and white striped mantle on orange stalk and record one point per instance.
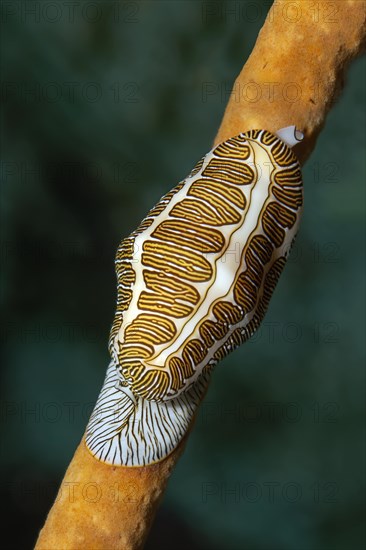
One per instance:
(194, 282)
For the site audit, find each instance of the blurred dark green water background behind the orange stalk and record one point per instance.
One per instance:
(276, 459)
